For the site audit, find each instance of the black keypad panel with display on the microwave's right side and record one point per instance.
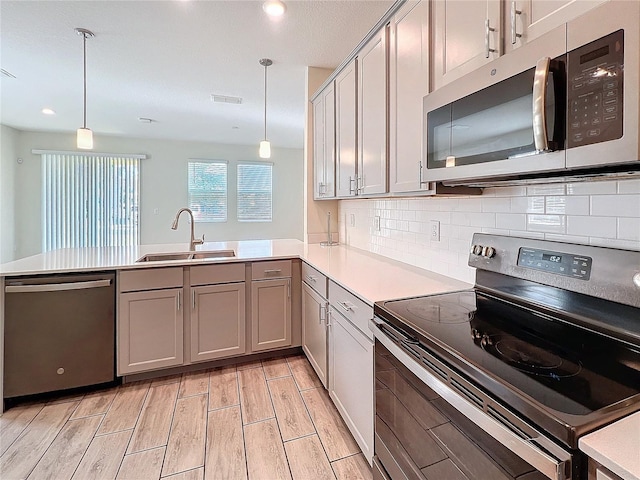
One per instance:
(595, 91)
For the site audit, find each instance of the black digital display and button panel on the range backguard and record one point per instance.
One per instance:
(576, 266)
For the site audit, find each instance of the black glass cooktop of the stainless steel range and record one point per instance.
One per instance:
(515, 352)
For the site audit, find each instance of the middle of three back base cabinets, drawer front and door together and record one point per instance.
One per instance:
(217, 318)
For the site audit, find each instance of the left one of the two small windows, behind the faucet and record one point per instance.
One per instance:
(208, 190)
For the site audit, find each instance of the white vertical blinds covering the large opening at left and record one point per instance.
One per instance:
(90, 200)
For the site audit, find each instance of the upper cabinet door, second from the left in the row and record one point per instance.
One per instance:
(346, 140)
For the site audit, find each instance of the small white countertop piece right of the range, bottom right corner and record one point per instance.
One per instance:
(616, 447)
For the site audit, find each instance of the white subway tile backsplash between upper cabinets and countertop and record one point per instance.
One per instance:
(597, 213)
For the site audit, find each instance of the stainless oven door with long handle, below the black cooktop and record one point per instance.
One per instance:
(424, 429)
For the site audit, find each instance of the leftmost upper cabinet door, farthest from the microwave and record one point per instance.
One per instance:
(324, 145)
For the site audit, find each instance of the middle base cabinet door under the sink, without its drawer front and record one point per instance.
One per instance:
(217, 321)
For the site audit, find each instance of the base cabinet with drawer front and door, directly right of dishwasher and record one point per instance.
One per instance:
(150, 320)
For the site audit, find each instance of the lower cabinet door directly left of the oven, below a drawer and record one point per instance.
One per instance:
(351, 379)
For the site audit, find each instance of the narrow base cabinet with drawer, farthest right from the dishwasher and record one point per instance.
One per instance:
(270, 305)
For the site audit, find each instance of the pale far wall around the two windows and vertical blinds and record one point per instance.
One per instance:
(164, 187)
